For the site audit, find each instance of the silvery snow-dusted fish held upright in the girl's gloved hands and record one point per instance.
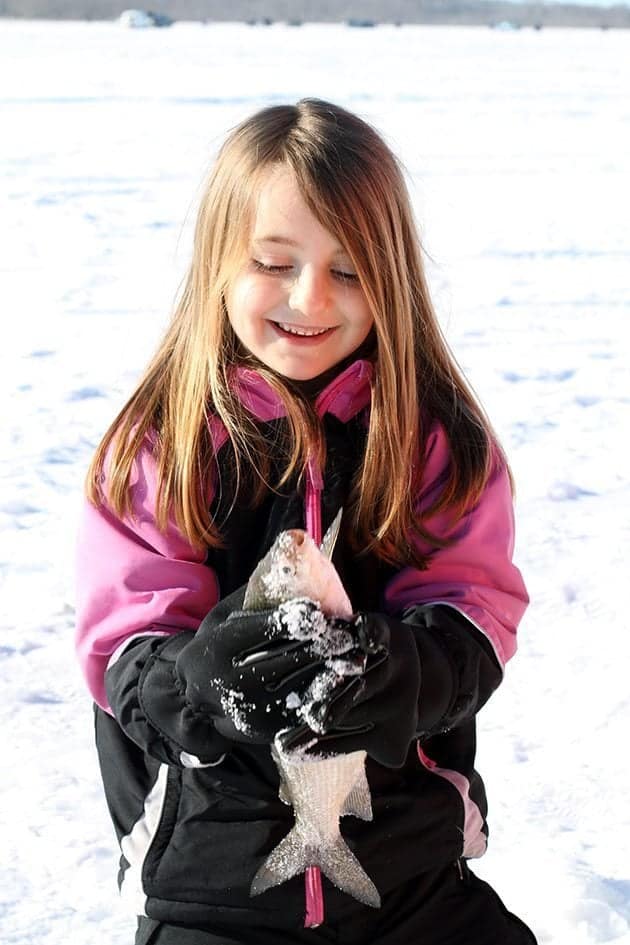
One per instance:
(320, 789)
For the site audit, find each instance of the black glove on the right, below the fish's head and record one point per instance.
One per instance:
(376, 711)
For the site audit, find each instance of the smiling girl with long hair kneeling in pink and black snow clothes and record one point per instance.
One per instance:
(303, 372)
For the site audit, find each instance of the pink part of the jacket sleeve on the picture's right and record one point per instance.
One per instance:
(475, 574)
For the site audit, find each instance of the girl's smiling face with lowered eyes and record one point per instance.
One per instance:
(296, 303)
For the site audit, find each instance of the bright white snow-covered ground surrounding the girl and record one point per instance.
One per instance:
(518, 150)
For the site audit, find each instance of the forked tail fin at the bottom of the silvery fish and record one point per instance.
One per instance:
(335, 859)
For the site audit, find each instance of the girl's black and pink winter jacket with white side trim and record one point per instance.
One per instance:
(195, 821)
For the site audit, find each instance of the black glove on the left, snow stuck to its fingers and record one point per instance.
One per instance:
(246, 671)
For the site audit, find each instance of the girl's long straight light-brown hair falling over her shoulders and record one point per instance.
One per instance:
(355, 187)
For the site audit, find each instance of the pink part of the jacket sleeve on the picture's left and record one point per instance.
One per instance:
(133, 579)
